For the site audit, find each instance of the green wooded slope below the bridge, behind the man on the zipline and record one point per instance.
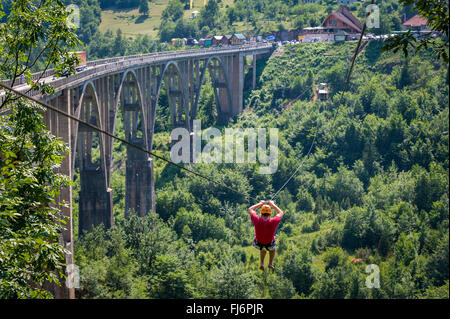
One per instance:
(374, 190)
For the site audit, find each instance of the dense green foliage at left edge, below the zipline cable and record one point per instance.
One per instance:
(30, 220)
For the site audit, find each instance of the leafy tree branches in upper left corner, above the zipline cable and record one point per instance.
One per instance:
(32, 36)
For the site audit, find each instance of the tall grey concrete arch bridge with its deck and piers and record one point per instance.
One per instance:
(131, 86)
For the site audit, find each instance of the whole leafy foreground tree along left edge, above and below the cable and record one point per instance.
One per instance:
(30, 218)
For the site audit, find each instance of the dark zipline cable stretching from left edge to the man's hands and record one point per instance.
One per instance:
(95, 128)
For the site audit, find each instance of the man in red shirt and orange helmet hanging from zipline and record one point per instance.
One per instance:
(265, 228)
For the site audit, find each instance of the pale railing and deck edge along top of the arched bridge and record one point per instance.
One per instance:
(114, 64)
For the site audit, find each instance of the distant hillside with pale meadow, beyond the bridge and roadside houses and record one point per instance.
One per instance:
(116, 27)
